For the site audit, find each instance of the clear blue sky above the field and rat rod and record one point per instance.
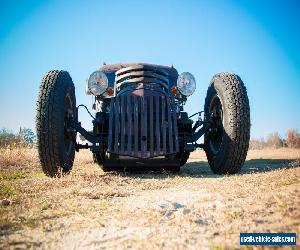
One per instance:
(259, 40)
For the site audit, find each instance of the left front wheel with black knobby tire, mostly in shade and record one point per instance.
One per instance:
(55, 106)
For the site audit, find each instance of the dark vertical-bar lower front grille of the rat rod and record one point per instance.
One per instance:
(142, 126)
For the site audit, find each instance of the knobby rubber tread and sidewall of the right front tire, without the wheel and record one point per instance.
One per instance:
(237, 101)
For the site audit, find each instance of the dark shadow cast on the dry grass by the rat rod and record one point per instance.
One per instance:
(201, 169)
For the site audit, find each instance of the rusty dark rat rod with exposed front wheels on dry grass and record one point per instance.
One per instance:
(140, 121)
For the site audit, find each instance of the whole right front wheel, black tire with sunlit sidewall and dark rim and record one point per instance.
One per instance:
(227, 107)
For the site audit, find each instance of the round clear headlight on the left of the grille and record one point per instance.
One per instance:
(97, 83)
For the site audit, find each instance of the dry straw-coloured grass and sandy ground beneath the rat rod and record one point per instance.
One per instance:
(194, 209)
